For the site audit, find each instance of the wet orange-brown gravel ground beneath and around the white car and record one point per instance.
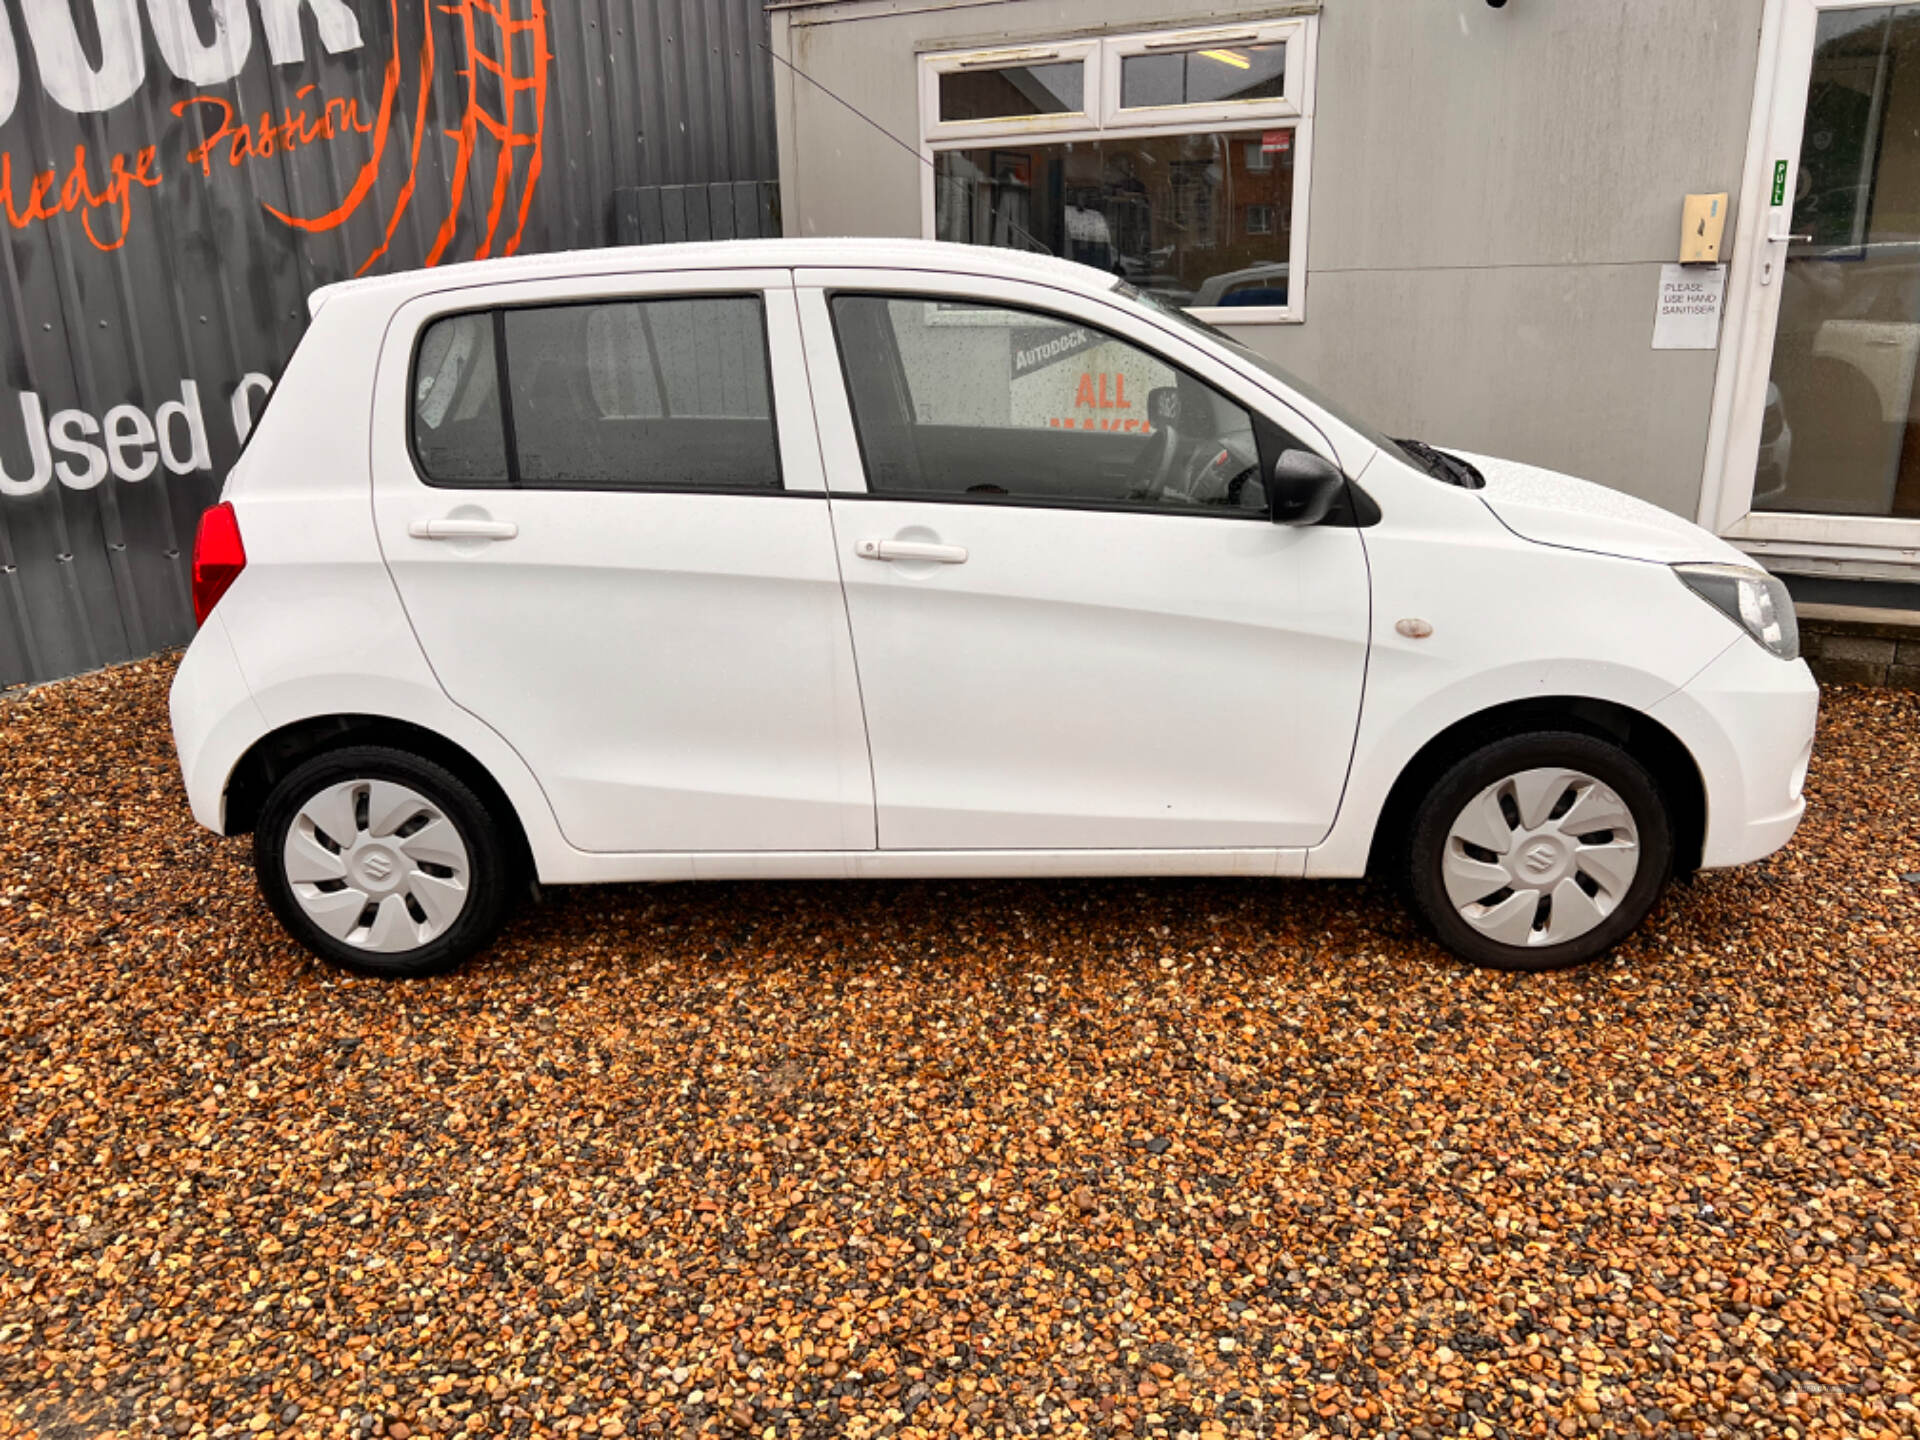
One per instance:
(853, 1159)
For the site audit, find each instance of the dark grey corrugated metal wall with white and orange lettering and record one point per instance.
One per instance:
(180, 174)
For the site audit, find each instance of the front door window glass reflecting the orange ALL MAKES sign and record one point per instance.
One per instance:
(988, 404)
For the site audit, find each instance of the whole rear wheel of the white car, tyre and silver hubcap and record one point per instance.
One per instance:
(383, 861)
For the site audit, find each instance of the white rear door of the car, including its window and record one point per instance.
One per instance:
(608, 525)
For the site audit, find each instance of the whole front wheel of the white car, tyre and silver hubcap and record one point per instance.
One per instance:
(1541, 852)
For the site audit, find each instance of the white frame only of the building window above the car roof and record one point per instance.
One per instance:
(1107, 120)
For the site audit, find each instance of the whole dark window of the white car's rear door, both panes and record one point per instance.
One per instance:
(646, 395)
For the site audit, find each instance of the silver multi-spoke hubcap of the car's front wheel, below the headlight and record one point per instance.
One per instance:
(1541, 857)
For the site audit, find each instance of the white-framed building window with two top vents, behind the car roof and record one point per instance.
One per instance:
(1174, 160)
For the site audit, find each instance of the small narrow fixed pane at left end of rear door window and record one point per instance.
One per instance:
(458, 429)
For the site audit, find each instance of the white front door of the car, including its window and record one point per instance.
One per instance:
(1076, 625)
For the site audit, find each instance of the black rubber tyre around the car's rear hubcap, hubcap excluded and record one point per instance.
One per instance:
(491, 882)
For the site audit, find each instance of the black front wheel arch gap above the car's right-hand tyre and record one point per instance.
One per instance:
(1639, 734)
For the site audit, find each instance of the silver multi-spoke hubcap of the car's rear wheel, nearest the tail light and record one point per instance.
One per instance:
(377, 865)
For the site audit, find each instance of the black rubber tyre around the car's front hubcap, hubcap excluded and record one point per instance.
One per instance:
(1489, 765)
